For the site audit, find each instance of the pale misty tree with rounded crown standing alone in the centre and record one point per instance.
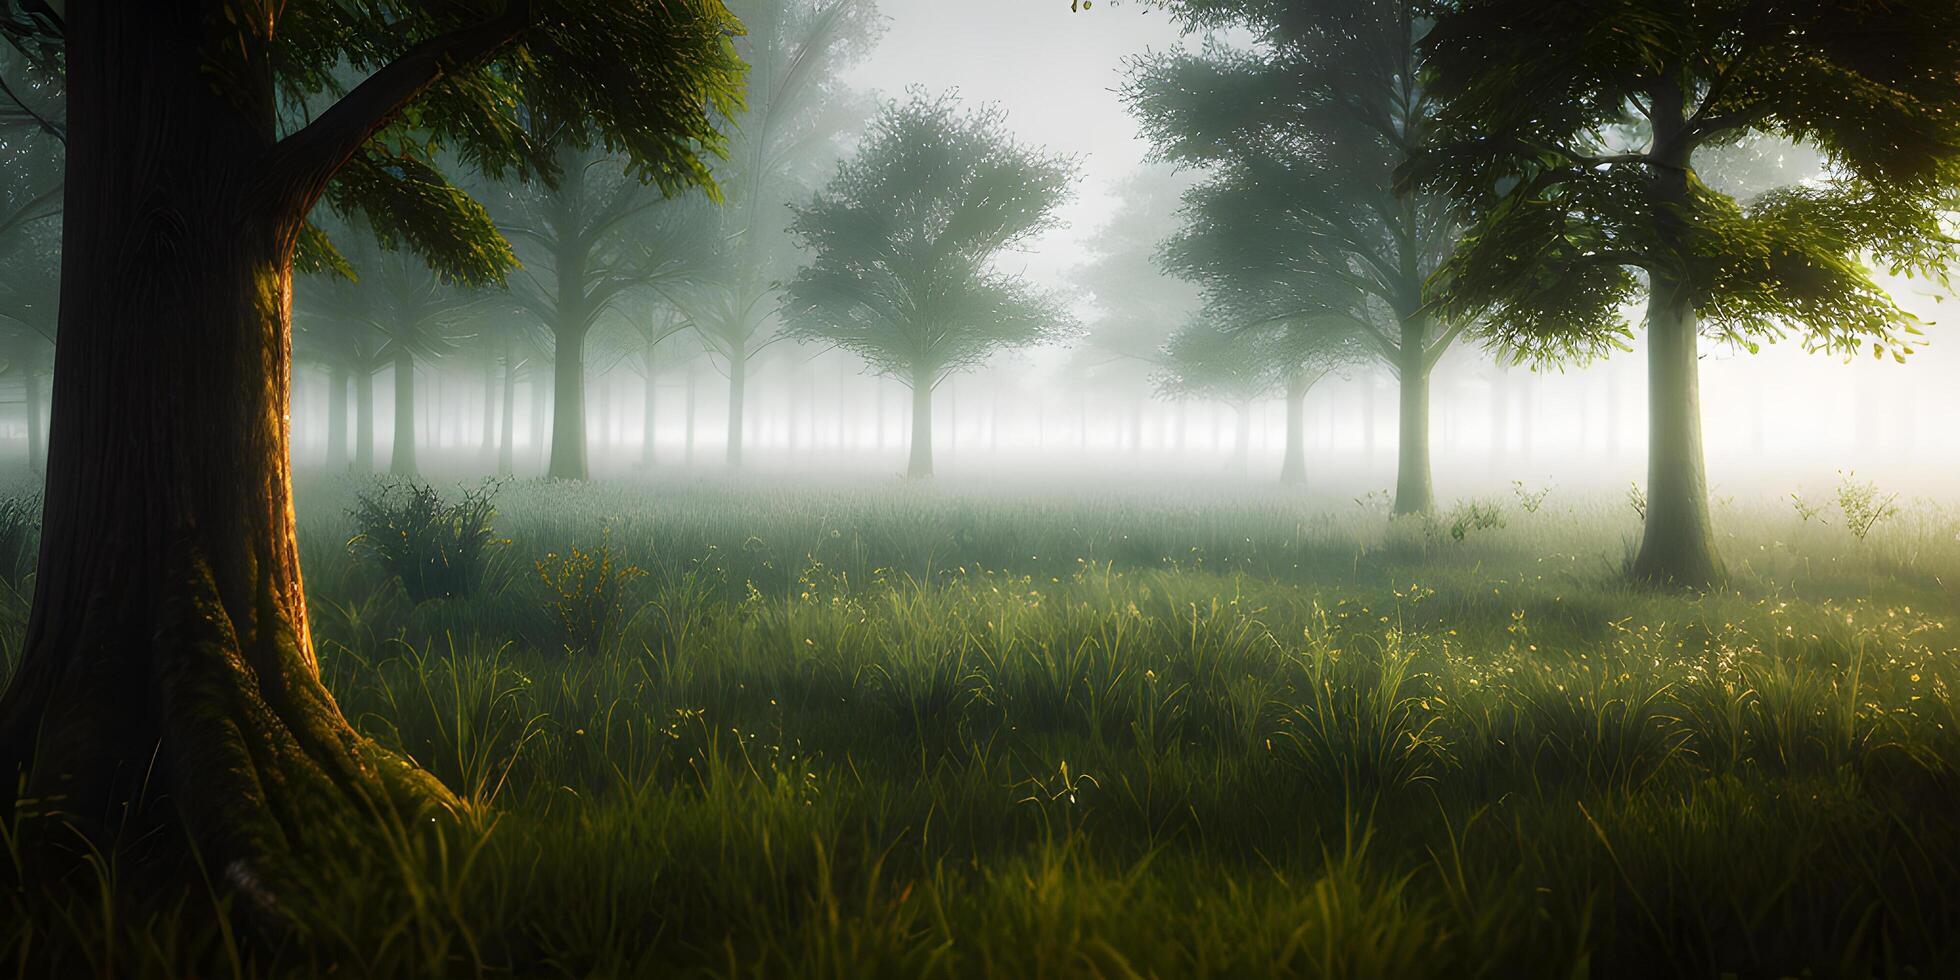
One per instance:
(903, 248)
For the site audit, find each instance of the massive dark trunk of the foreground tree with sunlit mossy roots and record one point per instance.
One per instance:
(168, 673)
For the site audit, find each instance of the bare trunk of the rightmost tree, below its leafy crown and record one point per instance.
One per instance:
(1679, 544)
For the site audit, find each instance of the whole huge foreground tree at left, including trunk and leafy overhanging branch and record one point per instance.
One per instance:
(168, 673)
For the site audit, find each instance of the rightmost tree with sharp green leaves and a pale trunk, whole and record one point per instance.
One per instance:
(1573, 134)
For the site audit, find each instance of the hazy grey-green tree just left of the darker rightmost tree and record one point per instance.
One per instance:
(1300, 217)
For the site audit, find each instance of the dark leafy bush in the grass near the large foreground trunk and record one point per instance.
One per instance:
(434, 548)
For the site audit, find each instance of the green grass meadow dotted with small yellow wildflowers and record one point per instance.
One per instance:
(899, 732)
